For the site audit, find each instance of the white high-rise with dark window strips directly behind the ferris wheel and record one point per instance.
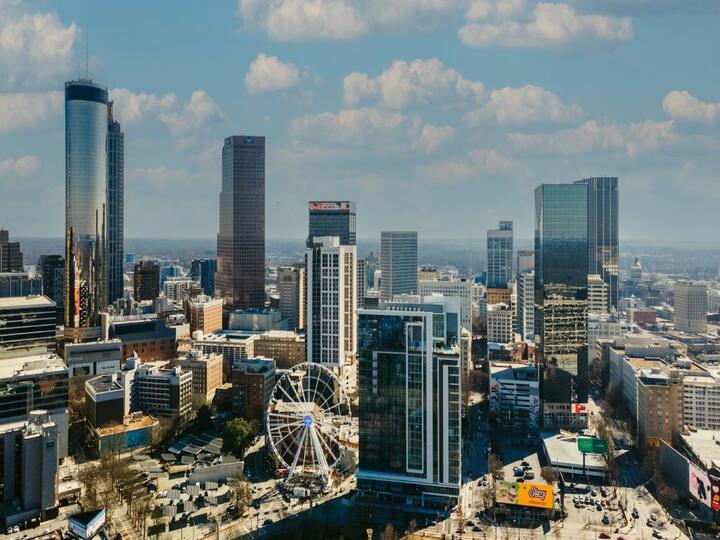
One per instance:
(331, 281)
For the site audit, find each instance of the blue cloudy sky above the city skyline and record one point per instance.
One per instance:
(440, 116)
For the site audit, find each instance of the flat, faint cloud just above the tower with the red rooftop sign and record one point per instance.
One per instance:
(371, 128)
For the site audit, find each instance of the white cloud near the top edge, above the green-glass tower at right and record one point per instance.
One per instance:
(517, 24)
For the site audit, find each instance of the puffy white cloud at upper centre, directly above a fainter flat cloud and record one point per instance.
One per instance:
(418, 82)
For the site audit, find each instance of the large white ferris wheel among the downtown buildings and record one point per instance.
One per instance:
(307, 415)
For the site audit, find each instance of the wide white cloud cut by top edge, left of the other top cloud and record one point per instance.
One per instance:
(301, 20)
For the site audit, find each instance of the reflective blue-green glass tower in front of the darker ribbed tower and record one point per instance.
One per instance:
(561, 270)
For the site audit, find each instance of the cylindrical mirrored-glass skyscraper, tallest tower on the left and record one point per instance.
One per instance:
(86, 209)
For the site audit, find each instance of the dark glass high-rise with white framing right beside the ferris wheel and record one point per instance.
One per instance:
(409, 407)
